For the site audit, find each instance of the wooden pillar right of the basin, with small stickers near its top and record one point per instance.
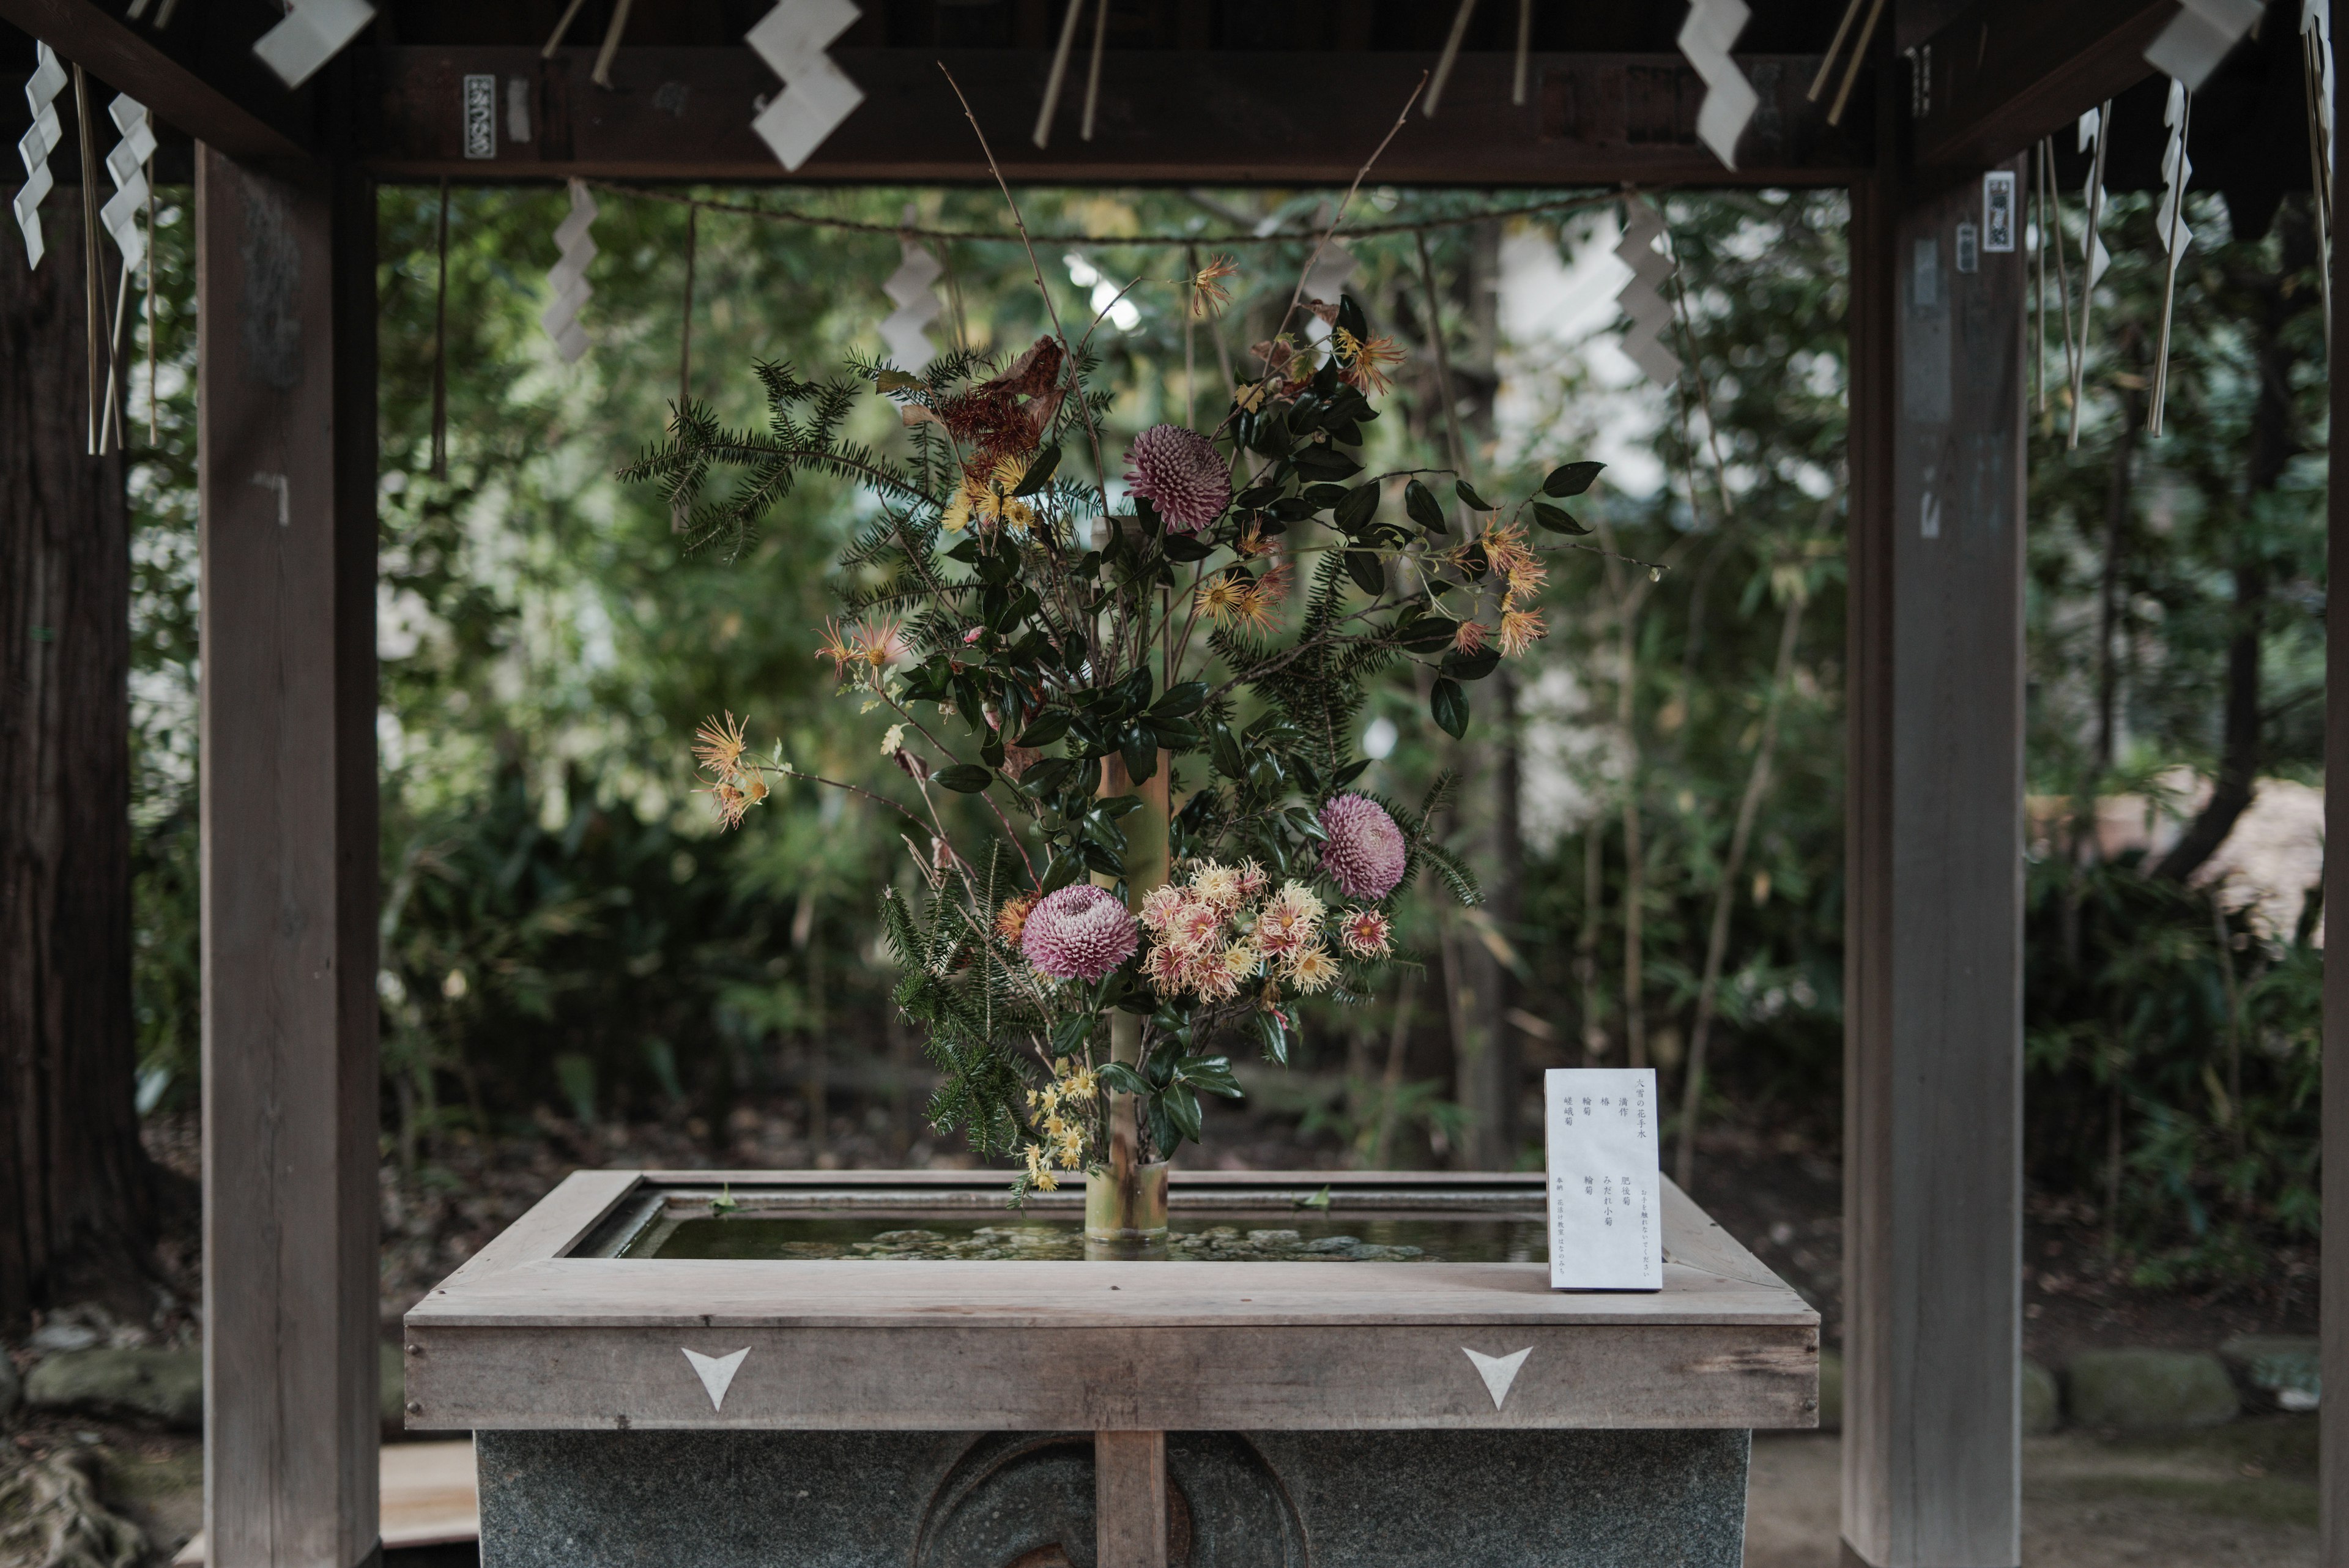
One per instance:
(1934, 918)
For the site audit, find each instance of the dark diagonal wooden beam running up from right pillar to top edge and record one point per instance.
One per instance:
(2010, 72)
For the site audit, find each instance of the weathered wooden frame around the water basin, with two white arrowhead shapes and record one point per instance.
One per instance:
(537, 1336)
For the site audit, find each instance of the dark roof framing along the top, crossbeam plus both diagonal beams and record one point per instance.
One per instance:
(1995, 76)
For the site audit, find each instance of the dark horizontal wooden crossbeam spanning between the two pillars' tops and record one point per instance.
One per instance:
(1166, 116)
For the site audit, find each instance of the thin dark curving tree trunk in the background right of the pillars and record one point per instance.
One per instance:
(2273, 448)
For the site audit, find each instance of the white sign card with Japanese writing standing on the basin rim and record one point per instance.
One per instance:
(1606, 1179)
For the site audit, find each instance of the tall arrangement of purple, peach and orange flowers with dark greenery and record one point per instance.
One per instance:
(1129, 711)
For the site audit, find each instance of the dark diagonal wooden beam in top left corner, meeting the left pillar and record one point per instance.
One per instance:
(201, 76)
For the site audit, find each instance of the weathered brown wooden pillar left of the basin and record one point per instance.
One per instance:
(288, 481)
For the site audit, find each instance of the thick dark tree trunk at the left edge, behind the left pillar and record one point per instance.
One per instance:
(76, 1193)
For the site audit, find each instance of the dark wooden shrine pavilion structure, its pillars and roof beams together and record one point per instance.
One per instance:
(1197, 93)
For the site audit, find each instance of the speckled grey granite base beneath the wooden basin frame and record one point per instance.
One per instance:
(1011, 1499)
